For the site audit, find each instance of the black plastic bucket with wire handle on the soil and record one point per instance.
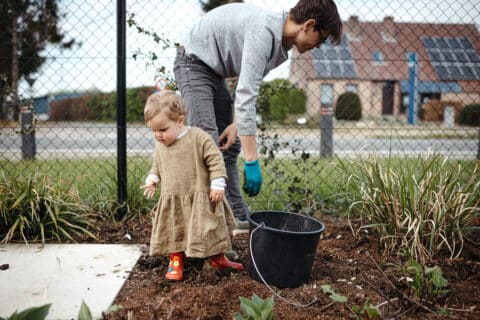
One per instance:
(283, 247)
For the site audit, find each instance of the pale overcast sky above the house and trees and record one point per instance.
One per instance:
(93, 24)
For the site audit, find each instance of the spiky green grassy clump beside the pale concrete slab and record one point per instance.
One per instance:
(36, 208)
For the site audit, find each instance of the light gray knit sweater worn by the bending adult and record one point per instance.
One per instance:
(242, 40)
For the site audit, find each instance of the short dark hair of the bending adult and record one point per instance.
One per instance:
(325, 14)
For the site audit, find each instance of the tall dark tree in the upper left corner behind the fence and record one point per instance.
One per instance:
(27, 27)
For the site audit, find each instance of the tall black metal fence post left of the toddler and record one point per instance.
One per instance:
(121, 110)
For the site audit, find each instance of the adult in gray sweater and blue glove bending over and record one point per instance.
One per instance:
(243, 40)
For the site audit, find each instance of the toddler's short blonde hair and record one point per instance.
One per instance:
(164, 100)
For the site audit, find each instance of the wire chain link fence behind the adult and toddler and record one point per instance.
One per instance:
(401, 83)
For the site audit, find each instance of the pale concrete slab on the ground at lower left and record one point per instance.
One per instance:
(64, 275)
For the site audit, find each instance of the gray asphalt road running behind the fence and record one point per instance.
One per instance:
(92, 140)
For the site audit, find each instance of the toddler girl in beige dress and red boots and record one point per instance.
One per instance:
(190, 218)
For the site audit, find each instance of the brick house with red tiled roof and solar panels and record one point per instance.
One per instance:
(372, 61)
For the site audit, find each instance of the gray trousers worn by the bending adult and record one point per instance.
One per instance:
(209, 106)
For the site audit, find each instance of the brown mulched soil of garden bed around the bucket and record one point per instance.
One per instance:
(355, 268)
